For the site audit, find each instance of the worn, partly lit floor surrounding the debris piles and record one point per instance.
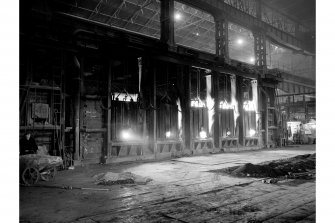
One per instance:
(182, 190)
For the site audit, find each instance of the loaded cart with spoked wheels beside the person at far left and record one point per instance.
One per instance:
(34, 167)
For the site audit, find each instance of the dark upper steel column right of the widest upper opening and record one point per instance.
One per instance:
(167, 22)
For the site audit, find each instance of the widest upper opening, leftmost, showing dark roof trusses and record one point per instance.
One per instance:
(139, 16)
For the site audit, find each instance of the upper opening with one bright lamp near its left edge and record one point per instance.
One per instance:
(194, 28)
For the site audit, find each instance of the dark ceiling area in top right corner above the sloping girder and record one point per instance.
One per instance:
(302, 10)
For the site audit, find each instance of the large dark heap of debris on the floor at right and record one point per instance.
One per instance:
(301, 166)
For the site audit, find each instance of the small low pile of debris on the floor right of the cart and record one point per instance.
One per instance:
(111, 178)
